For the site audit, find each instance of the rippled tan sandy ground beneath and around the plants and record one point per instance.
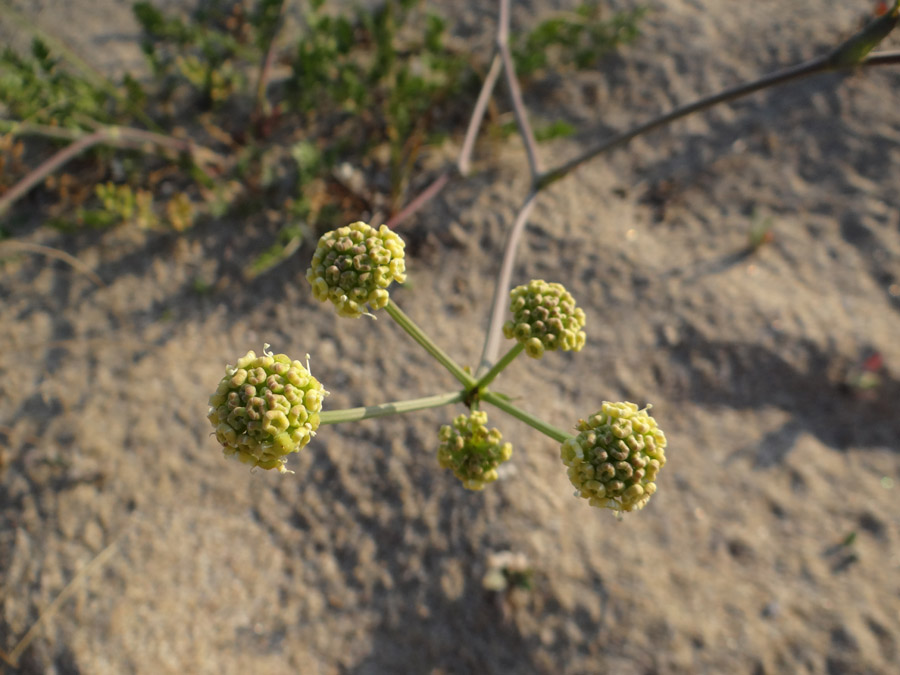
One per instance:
(370, 559)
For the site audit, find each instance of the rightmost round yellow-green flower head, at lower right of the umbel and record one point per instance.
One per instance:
(614, 459)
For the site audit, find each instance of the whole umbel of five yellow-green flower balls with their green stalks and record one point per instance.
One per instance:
(267, 407)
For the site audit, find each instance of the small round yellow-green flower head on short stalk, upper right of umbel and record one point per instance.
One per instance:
(544, 318)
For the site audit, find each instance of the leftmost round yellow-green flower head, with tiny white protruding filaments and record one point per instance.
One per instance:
(265, 408)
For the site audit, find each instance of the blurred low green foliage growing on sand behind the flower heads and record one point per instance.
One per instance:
(372, 90)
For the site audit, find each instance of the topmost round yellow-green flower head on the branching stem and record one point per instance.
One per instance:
(353, 266)
